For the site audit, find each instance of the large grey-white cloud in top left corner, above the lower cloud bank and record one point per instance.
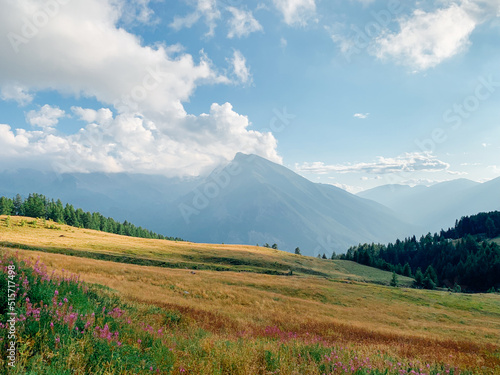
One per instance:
(81, 51)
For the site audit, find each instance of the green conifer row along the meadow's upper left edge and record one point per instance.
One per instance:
(38, 206)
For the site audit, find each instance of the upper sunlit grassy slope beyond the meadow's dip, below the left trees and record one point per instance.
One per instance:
(106, 246)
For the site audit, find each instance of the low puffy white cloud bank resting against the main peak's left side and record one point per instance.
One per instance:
(132, 143)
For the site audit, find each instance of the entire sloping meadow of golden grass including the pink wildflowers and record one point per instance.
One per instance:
(154, 306)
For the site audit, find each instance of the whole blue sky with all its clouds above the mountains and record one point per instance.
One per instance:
(354, 93)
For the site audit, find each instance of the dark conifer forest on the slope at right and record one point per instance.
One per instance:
(462, 257)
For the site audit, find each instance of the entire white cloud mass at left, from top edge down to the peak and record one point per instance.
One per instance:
(82, 52)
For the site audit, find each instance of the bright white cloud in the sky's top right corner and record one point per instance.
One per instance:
(428, 38)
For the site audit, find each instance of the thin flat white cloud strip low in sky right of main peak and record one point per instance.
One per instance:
(409, 162)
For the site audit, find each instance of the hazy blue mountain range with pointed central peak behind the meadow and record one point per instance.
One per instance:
(254, 201)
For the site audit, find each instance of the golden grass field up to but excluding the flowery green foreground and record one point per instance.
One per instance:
(339, 300)
